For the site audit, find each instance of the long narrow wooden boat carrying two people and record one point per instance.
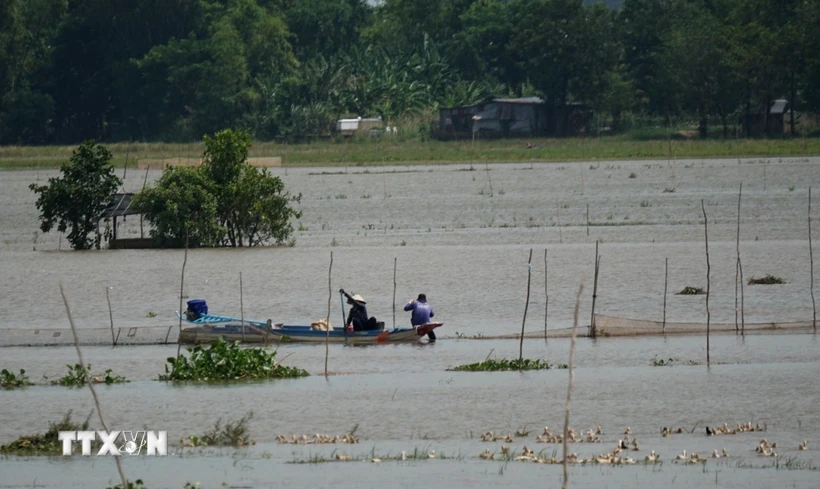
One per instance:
(211, 327)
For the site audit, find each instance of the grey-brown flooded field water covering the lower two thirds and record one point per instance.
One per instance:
(462, 235)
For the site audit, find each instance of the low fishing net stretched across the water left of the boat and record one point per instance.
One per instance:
(148, 335)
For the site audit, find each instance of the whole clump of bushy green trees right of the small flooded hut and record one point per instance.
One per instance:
(225, 201)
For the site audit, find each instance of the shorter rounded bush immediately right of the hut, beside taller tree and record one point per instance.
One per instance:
(181, 208)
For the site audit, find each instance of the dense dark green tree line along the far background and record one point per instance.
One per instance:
(173, 70)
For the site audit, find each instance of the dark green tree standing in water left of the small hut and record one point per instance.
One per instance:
(76, 200)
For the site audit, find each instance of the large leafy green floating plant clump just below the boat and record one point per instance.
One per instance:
(227, 361)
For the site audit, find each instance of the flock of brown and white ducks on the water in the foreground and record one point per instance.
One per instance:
(618, 456)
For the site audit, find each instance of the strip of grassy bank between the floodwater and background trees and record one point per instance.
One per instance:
(394, 151)
